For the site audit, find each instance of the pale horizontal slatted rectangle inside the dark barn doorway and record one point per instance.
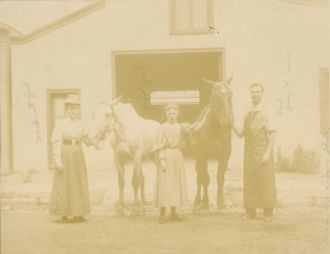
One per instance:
(177, 96)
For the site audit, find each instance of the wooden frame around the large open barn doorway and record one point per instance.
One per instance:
(114, 54)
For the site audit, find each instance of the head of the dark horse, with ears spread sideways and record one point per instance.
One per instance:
(221, 101)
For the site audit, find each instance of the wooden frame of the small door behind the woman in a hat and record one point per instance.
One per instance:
(51, 92)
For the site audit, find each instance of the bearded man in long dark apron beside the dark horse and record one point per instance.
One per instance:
(259, 175)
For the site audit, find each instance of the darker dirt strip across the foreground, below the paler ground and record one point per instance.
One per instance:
(295, 231)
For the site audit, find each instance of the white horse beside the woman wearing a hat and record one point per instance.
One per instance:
(130, 135)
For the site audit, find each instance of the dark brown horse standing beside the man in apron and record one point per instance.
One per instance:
(212, 131)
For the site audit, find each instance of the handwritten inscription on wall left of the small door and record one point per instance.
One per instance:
(32, 110)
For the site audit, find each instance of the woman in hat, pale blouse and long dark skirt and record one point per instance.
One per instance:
(70, 193)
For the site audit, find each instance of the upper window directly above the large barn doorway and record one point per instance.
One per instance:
(191, 16)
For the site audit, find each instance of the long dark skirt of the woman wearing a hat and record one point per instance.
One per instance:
(70, 193)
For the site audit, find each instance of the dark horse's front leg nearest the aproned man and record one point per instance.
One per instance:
(222, 167)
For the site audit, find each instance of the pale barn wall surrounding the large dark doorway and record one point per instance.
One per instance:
(270, 42)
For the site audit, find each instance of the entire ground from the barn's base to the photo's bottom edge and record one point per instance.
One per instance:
(301, 223)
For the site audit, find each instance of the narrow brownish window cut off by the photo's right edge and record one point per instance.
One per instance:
(324, 100)
